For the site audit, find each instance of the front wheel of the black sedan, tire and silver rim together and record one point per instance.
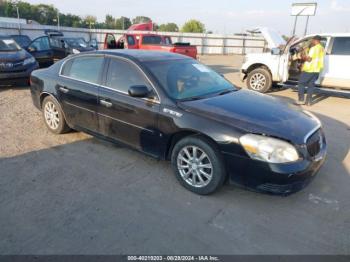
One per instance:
(198, 165)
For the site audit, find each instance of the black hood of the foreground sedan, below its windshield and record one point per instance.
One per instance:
(255, 113)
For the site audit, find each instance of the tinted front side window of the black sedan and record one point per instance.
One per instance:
(122, 75)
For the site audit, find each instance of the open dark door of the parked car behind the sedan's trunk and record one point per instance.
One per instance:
(40, 48)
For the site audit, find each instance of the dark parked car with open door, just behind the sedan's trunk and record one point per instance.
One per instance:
(54, 46)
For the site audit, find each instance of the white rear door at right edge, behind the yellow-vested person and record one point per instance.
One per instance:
(336, 72)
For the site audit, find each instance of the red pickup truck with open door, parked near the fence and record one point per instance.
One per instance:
(149, 41)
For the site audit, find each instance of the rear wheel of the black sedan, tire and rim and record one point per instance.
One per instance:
(53, 116)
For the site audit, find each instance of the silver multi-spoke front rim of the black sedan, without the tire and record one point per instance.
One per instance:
(195, 166)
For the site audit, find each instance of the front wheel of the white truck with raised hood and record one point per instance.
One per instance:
(259, 80)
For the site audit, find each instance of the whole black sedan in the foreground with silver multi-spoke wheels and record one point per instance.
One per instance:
(174, 108)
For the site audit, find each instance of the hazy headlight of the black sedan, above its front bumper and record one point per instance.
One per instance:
(269, 149)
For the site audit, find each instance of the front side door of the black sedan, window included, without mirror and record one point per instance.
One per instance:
(125, 118)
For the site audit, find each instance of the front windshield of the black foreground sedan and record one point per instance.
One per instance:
(187, 79)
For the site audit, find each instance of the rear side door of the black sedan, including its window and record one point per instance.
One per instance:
(77, 90)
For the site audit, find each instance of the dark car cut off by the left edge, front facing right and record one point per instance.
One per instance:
(16, 64)
